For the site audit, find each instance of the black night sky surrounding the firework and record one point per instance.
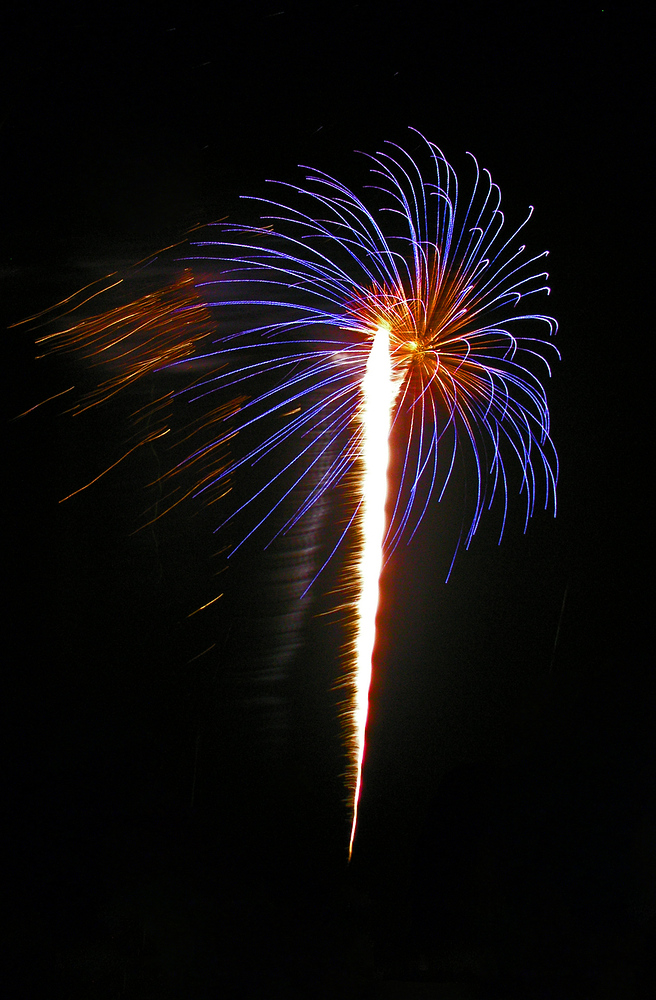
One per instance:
(178, 820)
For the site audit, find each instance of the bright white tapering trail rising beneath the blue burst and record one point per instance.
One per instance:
(379, 389)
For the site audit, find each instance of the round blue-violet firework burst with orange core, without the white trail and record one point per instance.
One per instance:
(447, 282)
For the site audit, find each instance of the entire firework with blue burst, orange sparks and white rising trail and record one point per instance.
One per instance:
(336, 325)
